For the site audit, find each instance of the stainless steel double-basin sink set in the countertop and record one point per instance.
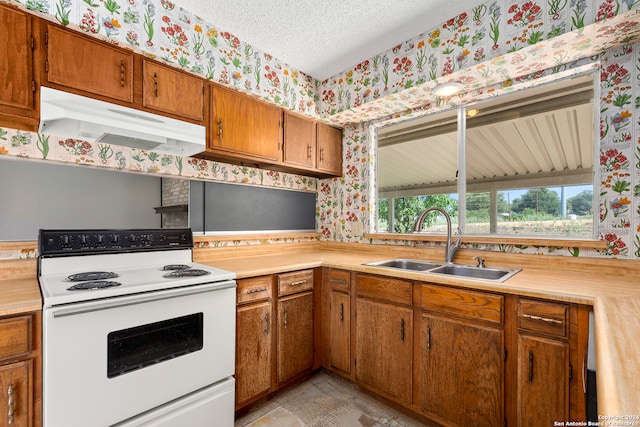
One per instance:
(493, 274)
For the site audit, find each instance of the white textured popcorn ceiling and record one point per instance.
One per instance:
(324, 38)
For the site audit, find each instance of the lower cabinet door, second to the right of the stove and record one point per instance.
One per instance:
(295, 335)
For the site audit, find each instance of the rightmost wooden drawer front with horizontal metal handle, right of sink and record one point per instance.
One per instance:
(543, 316)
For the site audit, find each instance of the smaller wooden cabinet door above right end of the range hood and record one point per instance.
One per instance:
(171, 91)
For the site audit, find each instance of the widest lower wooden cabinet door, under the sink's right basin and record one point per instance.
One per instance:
(462, 368)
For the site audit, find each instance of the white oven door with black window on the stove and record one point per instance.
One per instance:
(106, 361)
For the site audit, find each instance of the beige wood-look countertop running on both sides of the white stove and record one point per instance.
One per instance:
(616, 304)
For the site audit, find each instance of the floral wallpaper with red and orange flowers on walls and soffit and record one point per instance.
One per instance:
(498, 45)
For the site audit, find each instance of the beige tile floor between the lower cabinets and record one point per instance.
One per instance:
(325, 400)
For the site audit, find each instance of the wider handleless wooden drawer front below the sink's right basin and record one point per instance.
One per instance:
(462, 302)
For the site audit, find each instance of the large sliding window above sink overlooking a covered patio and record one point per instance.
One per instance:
(527, 158)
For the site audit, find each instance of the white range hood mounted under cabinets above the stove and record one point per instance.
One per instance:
(72, 116)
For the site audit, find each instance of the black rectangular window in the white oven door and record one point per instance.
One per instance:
(141, 346)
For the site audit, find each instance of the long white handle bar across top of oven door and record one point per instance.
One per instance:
(120, 301)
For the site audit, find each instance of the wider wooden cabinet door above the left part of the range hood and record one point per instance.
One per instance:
(80, 62)
